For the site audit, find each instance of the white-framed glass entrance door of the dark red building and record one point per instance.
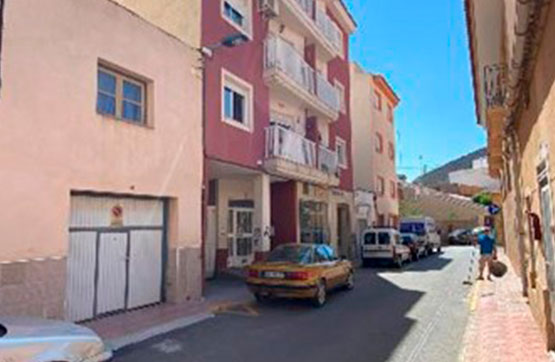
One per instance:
(240, 237)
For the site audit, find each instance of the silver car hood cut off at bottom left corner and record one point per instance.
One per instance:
(41, 340)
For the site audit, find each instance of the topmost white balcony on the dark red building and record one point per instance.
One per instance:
(305, 18)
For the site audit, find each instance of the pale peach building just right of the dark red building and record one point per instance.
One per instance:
(373, 103)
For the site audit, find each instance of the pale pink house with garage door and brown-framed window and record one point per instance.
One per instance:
(101, 163)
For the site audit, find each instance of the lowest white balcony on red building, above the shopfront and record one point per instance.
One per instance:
(292, 156)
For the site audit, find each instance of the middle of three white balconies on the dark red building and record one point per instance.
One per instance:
(287, 71)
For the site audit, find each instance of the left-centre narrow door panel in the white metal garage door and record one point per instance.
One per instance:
(112, 272)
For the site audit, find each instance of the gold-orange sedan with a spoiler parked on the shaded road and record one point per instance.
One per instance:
(300, 271)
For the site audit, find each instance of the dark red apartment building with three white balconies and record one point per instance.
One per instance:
(277, 128)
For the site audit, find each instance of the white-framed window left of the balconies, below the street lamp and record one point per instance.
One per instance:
(237, 96)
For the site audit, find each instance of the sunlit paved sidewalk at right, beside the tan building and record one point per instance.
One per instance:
(501, 327)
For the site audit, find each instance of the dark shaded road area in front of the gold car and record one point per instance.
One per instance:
(366, 324)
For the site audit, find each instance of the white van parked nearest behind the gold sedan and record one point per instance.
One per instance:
(384, 244)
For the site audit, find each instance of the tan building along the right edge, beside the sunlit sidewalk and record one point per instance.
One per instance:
(514, 78)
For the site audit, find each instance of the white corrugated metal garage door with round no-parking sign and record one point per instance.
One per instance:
(115, 258)
